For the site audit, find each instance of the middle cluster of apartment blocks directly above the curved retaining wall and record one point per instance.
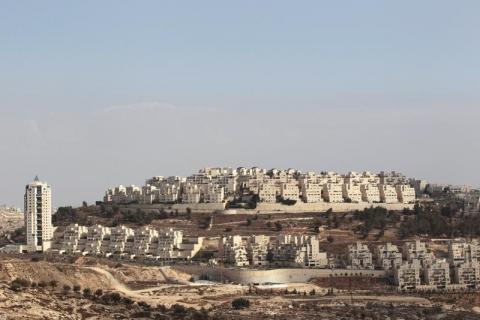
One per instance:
(285, 251)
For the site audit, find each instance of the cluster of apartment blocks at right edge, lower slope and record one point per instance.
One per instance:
(417, 268)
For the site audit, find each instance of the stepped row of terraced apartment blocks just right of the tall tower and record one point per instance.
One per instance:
(143, 243)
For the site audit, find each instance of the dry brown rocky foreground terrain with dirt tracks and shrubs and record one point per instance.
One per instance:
(88, 288)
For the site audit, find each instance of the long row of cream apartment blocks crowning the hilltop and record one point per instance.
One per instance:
(217, 185)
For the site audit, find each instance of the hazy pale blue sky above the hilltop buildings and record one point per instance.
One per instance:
(99, 93)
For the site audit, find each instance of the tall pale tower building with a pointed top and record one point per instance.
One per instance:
(38, 216)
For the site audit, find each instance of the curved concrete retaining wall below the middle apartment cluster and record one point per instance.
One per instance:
(288, 275)
